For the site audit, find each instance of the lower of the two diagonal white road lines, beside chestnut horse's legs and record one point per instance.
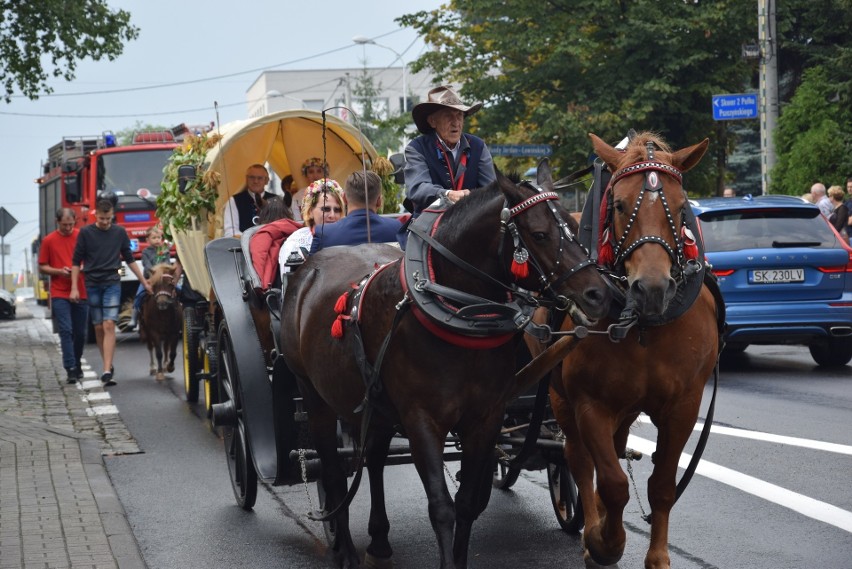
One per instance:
(809, 507)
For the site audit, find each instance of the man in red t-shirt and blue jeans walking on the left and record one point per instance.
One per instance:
(72, 318)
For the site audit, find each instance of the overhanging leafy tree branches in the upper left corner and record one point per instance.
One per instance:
(49, 37)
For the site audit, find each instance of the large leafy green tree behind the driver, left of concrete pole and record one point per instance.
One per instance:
(551, 72)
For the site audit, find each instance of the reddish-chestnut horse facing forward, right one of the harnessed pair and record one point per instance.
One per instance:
(661, 366)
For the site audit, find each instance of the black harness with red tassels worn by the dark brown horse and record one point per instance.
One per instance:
(458, 317)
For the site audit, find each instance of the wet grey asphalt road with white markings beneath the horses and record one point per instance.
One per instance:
(772, 490)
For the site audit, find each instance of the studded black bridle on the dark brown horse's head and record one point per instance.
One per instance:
(521, 251)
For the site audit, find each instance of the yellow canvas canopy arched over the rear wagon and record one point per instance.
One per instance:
(283, 141)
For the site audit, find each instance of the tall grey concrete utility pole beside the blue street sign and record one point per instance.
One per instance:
(768, 43)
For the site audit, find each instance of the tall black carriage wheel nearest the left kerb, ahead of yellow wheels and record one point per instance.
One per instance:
(237, 452)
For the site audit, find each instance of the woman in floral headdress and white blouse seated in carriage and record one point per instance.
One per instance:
(323, 204)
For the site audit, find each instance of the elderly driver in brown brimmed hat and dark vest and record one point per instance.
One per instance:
(444, 162)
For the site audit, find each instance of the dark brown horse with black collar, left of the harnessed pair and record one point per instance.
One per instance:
(431, 380)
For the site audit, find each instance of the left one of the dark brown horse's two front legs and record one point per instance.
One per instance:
(427, 450)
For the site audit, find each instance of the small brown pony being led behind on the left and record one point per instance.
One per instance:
(162, 318)
